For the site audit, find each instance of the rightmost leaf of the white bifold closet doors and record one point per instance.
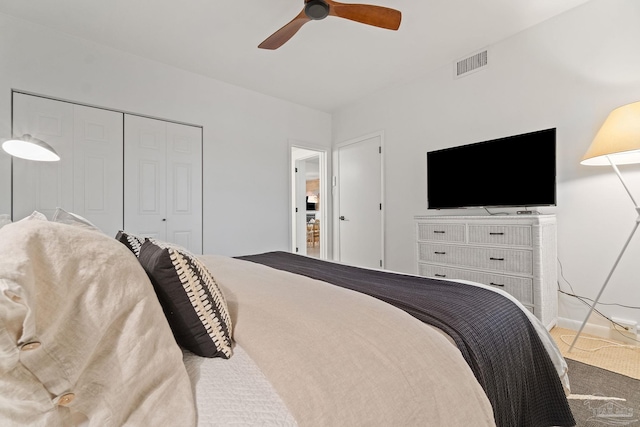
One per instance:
(184, 186)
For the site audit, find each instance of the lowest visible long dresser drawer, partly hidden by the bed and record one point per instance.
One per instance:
(520, 287)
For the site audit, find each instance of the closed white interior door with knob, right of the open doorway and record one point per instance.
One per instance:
(360, 226)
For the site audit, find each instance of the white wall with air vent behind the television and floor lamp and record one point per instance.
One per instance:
(568, 73)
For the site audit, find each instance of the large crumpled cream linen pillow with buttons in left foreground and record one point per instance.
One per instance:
(82, 332)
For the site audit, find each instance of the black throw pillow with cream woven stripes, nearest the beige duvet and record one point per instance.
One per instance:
(190, 297)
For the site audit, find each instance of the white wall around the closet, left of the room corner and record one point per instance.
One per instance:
(246, 134)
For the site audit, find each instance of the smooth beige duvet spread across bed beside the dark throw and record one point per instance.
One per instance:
(341, 358)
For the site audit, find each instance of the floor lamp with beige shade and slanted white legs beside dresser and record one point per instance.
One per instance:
(616, 143)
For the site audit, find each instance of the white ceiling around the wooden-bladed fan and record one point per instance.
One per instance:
(327, 64)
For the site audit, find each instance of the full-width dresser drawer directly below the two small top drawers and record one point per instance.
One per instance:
(494, 259)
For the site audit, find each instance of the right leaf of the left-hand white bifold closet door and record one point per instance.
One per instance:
(98, 167)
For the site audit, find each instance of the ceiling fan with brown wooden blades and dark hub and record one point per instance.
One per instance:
(377, 16)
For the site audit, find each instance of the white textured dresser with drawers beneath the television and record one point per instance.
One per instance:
(514, 253)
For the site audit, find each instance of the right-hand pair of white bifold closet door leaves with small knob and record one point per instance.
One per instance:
(163, 181)
